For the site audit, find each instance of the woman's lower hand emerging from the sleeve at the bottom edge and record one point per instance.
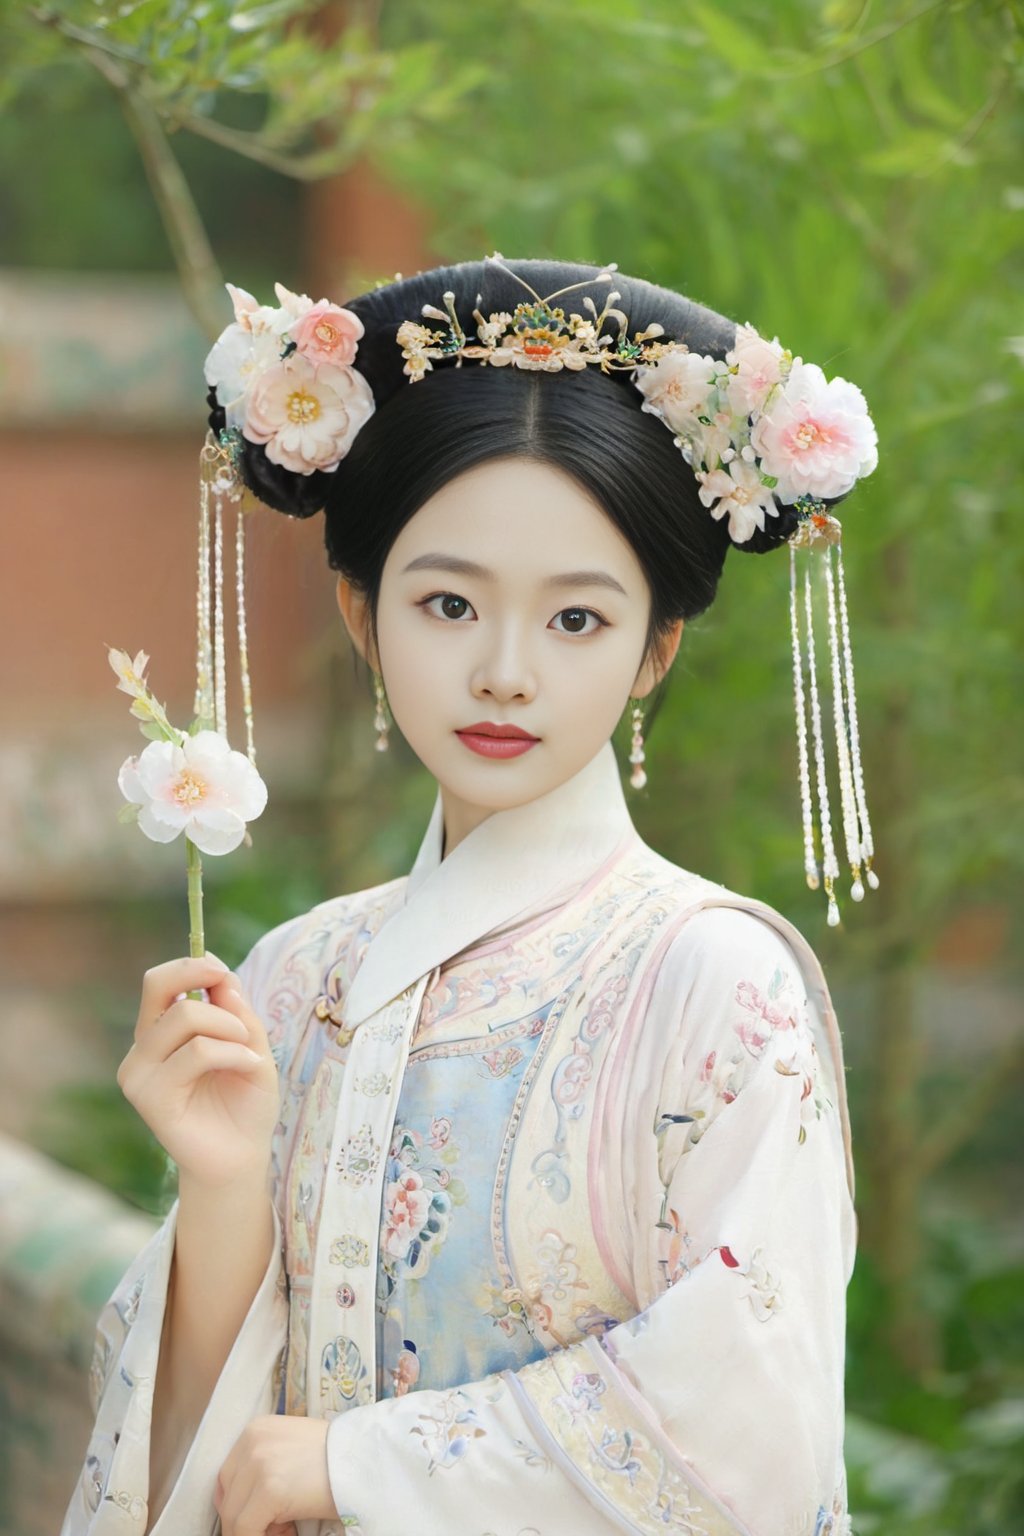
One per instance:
(276, 1475)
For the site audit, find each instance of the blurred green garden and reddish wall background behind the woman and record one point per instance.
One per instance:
(848, 176)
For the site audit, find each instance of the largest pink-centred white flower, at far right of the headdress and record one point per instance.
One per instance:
(816, 437)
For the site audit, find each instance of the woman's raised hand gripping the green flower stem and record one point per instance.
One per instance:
(202, 1074)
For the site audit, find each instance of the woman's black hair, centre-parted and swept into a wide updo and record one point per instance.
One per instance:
(586, 423)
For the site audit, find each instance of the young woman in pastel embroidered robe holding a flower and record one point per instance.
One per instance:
(517, 1194)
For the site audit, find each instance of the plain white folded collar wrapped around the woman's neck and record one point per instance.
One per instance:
(509, 867)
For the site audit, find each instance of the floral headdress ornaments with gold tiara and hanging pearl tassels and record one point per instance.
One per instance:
(761, 431)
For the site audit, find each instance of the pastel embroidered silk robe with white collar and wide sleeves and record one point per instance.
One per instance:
(564, 1203)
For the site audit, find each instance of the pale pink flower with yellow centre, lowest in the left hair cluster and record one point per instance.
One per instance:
(308, 417)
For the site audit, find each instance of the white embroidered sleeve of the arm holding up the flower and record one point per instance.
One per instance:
(113, 1491)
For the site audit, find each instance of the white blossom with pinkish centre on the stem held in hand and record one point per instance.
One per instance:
(202, 789)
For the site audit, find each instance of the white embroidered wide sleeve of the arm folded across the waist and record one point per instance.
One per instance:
(719, 1408)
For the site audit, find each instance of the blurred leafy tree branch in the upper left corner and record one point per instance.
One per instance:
(177, 65)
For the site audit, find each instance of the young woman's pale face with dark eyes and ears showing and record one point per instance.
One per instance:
(510, 598)
